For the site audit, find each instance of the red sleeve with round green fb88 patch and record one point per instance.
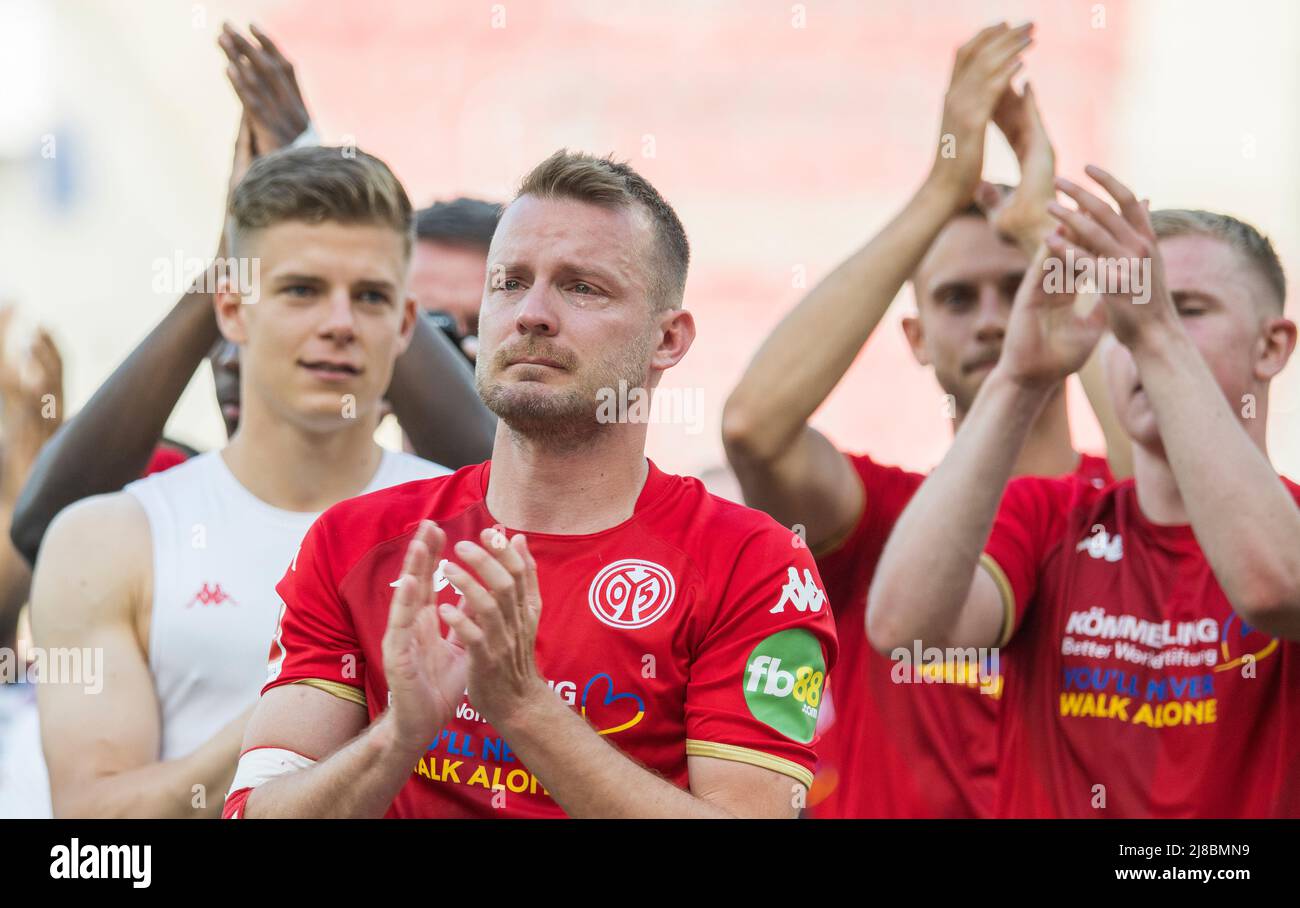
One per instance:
(759, 674)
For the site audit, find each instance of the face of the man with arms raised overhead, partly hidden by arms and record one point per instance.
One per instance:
(964, 287)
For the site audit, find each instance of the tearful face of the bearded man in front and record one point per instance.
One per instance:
(567, 313)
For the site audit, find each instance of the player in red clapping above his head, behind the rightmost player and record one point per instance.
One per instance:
(917, 749)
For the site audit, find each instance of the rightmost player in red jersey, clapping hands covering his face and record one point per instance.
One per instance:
(1152, 668)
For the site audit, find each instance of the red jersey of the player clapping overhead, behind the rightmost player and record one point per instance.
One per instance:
(889, 750)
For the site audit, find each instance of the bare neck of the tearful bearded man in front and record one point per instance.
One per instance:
(571, 490)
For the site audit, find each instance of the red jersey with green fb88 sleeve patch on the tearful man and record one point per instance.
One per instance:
(695, 628)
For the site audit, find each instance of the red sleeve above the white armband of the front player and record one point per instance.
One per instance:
(315, 639)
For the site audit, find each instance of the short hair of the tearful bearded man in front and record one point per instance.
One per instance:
(603, 181)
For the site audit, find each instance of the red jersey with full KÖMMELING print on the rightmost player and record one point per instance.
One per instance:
(1132, 688)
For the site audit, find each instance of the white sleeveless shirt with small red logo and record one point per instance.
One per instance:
(219, 552)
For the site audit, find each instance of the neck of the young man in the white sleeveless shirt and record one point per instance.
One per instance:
(296, 470)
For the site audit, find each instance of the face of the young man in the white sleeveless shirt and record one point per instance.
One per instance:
(332, 317)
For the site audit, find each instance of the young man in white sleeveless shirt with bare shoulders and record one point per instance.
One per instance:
(174, 578)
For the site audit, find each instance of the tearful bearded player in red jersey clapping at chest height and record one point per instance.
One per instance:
(678, 664)
